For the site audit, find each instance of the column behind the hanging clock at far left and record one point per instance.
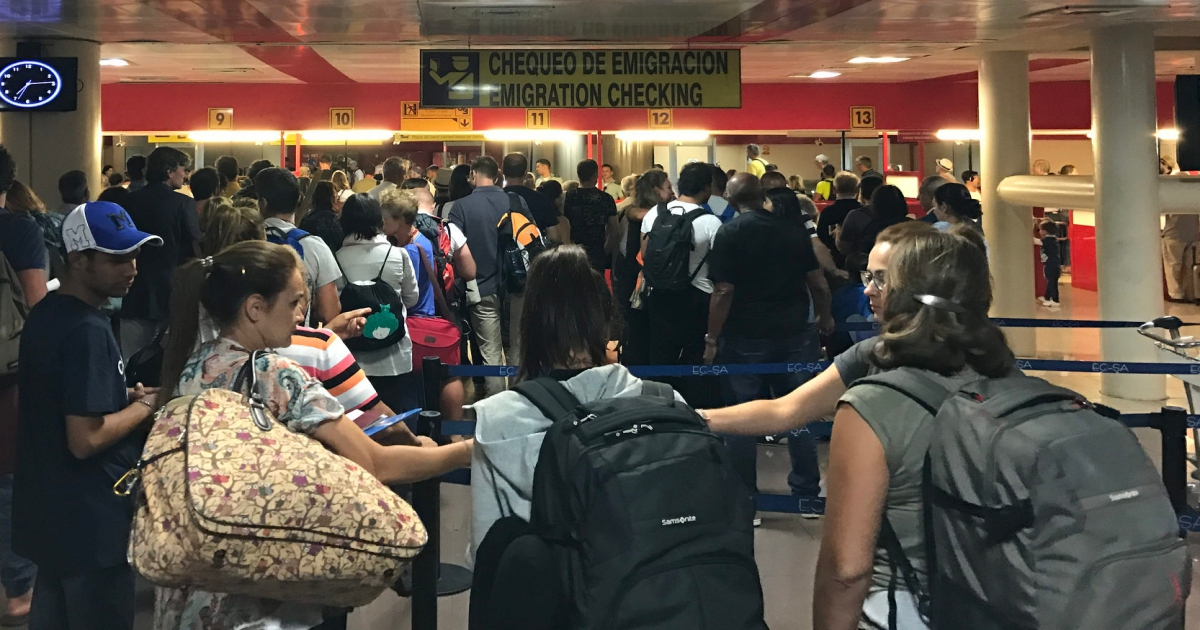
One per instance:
(47, 145)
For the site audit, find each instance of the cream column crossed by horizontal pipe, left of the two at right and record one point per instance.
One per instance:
(1005, 152)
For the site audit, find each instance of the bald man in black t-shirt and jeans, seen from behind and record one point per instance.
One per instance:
(764, 271)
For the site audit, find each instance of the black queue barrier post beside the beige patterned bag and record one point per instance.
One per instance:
(431, 578)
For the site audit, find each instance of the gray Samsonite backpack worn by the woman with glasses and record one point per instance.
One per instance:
(1043, 513)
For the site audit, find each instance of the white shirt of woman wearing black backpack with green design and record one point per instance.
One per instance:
(362, 261)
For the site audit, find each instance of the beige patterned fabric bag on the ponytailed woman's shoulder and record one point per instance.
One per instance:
(233, 502)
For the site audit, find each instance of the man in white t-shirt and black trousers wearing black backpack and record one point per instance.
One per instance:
(680, 319)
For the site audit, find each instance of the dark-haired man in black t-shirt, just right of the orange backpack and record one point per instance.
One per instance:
(593, 217)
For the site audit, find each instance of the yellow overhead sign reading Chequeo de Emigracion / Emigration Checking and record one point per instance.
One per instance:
(577, 79)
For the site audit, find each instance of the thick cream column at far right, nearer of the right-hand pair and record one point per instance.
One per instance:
(1130, 267)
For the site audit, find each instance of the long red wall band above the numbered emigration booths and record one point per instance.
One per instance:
(766, 107)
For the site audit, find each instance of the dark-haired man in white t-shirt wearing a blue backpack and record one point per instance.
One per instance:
(279, 195)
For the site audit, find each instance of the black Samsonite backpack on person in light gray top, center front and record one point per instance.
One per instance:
(650, 524)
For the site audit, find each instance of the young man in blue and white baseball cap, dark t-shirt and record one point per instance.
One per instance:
(80, 431)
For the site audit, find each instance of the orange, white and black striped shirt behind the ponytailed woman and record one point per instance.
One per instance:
(325, 357)
